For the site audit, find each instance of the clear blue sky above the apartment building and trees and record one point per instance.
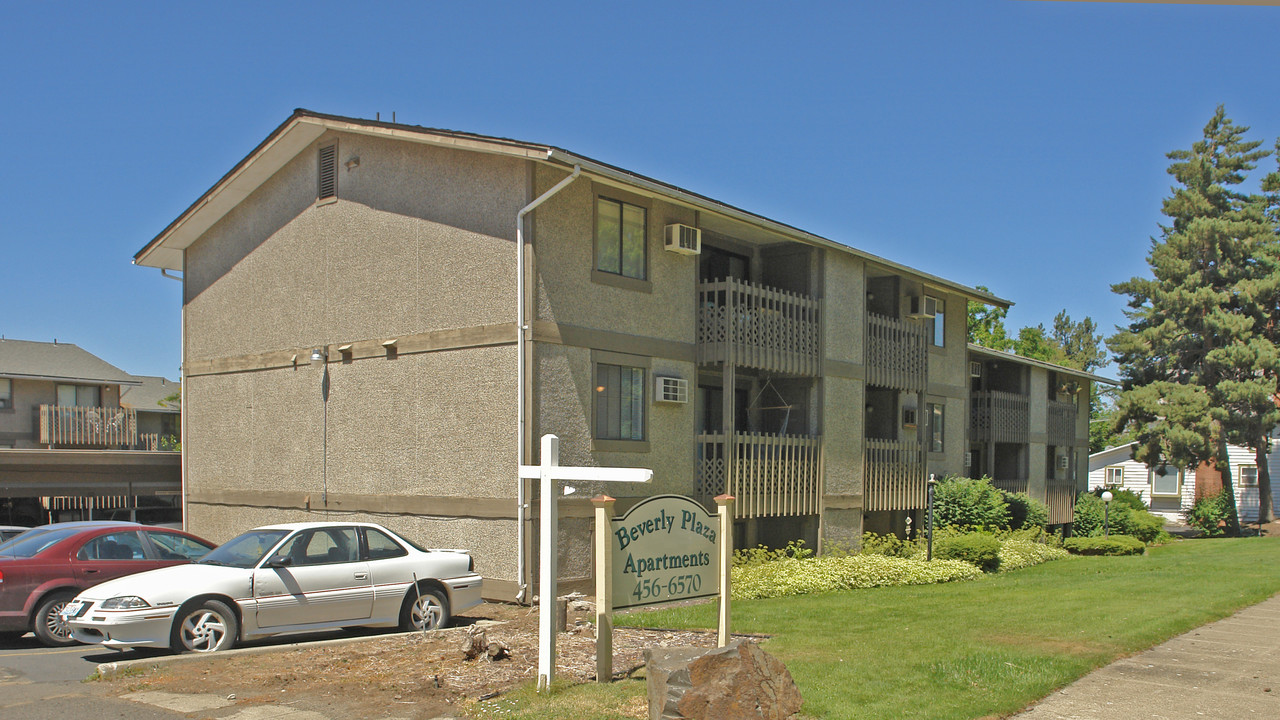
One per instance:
(1018, 145)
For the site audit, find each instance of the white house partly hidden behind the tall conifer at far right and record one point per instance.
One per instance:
(1173, 491)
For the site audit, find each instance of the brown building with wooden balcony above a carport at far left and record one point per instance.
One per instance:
(70, 448)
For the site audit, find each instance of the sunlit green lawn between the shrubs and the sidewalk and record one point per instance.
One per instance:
(979, 649)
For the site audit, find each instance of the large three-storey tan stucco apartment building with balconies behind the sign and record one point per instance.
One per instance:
(362, 338)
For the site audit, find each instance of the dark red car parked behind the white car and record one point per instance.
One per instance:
(47, 567)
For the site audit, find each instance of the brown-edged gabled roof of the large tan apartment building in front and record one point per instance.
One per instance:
(305, 126)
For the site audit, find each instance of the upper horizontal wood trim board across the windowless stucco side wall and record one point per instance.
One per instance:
(433, 341)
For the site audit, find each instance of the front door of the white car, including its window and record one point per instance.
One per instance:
(316, 577)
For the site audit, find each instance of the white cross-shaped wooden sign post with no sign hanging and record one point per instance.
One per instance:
(548, 473)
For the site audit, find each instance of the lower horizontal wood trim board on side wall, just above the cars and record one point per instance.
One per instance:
(486, 508)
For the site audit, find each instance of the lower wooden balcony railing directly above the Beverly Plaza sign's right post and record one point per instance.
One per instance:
(770, 476)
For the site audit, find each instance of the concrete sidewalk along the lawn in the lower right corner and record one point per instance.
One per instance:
(1226, 669)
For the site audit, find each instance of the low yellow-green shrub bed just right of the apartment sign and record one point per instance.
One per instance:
(792, 576)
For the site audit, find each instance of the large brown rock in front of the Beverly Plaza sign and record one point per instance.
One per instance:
(735, 682)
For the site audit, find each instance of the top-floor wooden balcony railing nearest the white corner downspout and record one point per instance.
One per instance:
(753, 326)
